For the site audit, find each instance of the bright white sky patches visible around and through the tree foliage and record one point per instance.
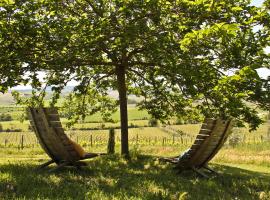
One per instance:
(263, 72)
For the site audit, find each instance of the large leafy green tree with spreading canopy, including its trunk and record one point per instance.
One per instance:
(175, 54)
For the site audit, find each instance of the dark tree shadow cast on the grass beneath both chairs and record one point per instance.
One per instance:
(142, 178)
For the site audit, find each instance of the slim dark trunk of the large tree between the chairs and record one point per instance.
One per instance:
(122, 90)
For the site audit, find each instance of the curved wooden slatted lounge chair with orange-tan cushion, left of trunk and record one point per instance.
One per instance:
(52, 138)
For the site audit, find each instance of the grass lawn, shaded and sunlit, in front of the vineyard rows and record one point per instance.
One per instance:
(111, 177)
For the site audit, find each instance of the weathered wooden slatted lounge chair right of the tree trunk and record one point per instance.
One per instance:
(212, 136)
